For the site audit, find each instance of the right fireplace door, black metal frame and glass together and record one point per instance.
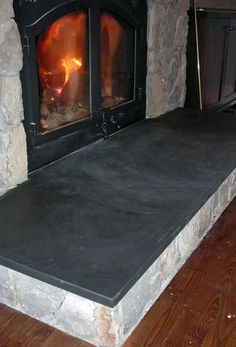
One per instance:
(122, 101)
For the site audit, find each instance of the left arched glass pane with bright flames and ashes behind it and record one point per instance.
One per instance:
(63, 66)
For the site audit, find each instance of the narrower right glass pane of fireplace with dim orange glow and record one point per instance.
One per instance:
(117, 61)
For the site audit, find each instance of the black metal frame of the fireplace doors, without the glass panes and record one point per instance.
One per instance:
(33, 17)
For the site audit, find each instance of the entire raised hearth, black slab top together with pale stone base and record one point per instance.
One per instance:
(90, 241)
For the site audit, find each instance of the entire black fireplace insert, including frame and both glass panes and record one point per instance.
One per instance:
(84, 72)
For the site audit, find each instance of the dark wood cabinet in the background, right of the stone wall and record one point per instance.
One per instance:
(217, 46)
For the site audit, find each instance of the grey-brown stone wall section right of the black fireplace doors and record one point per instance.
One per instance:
(167, 39)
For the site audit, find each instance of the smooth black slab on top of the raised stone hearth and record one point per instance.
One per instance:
(93, 222)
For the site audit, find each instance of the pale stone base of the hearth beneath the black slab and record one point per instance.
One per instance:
(96, 323)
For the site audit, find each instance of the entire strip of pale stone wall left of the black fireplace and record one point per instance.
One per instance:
(13, 158)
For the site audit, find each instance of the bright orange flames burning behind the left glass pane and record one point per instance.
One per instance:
(62, 51)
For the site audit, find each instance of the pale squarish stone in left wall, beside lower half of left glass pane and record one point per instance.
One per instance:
(11, 104)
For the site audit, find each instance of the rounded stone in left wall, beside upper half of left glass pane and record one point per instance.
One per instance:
(10, 49)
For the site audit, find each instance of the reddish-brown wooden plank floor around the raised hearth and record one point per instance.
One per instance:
(198, 308)
